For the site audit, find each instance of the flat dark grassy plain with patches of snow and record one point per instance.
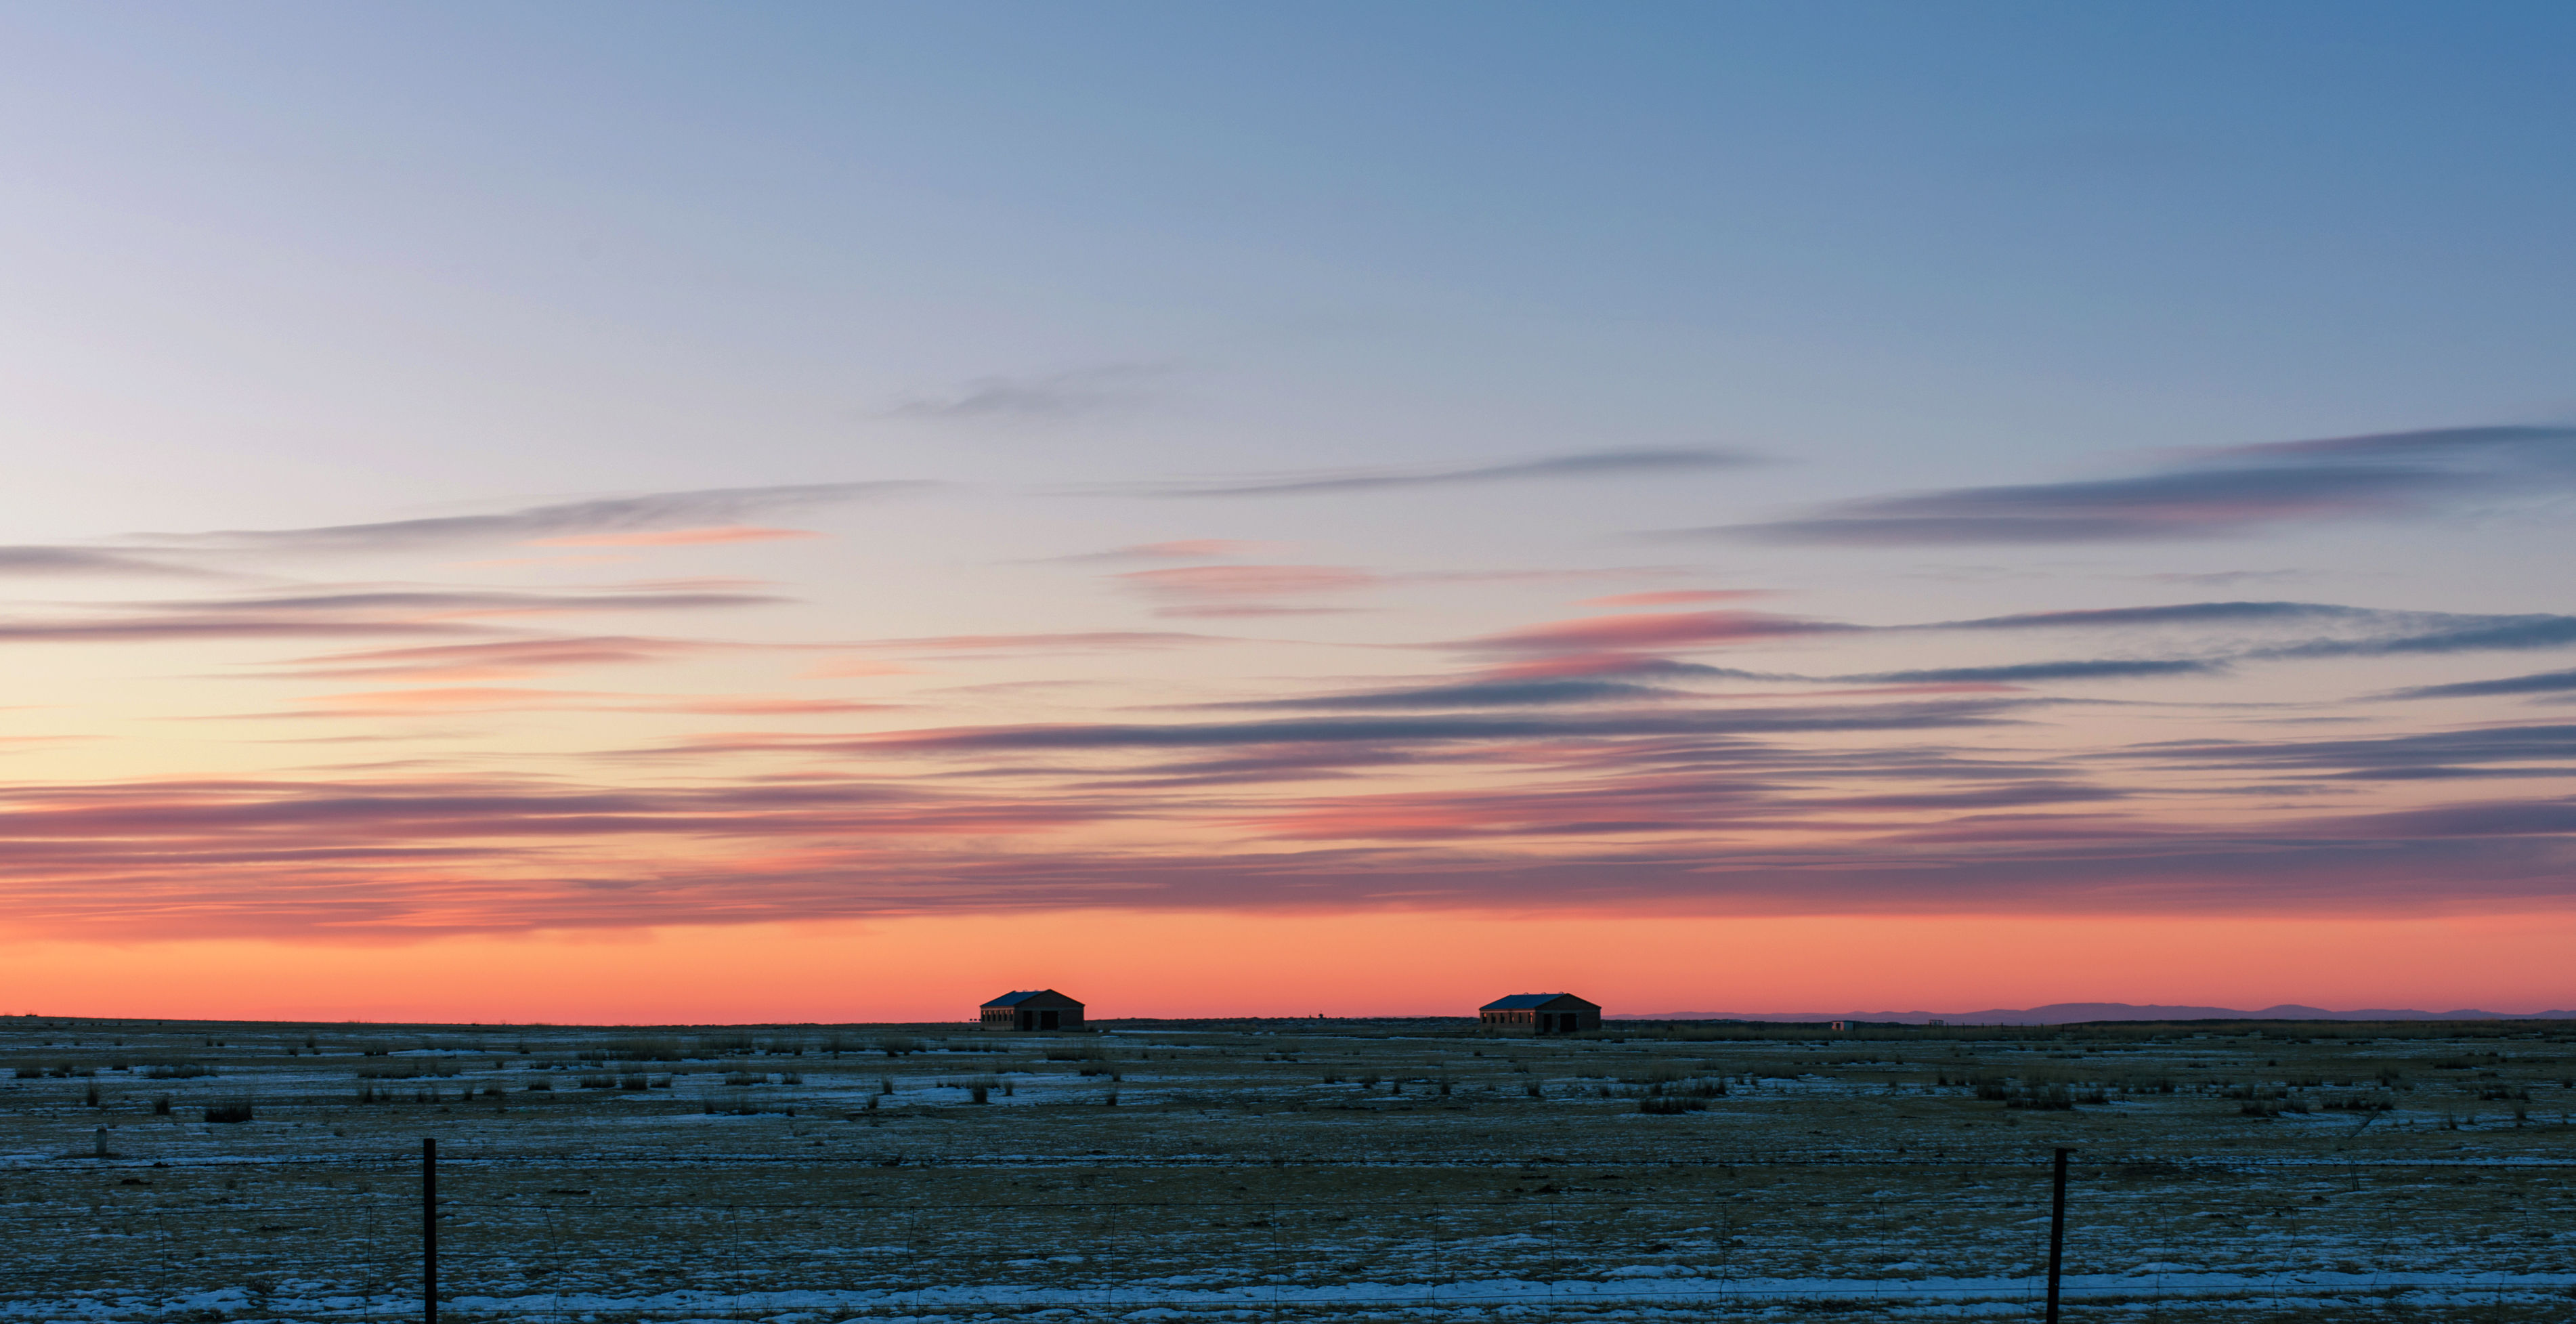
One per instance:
(1287, 1171)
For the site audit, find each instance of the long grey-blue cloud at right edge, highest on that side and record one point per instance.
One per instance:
(2214, 493)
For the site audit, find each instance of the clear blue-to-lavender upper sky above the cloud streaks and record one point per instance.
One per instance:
(1938, 241)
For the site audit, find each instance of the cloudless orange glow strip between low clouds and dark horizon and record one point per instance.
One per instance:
(1189, 965)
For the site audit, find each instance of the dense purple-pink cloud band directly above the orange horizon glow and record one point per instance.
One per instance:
(1663, 808)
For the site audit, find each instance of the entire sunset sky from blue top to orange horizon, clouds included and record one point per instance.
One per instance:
(681, 514)
